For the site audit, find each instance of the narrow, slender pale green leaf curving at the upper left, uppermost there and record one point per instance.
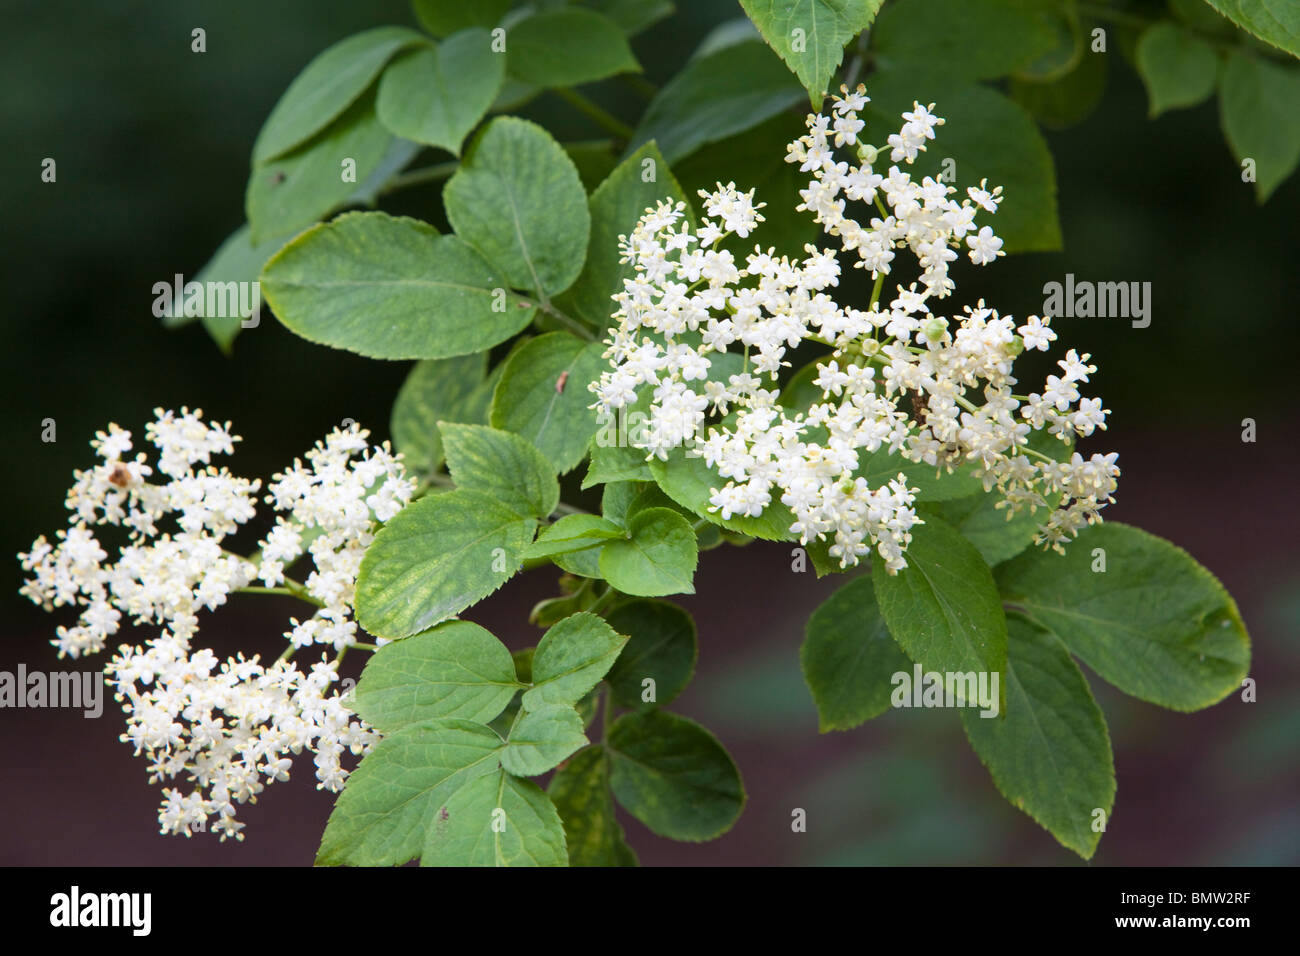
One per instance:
(327, 88)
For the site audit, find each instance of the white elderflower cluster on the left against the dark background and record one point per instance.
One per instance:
(228, 728)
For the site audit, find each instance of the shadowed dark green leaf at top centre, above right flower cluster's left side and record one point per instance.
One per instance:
(714, 97)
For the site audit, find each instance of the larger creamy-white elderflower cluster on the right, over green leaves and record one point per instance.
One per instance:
(704, 339)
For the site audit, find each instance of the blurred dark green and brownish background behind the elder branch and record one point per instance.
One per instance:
(153, 148)
